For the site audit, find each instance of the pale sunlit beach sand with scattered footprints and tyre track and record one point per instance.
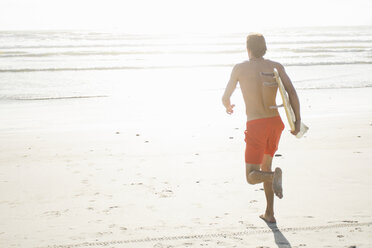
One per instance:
(112, 172)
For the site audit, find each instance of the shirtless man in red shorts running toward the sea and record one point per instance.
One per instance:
(264, 125)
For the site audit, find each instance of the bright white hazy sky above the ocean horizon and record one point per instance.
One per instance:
(180, 15)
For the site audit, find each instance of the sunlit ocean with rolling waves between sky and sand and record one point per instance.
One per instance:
(49, 65)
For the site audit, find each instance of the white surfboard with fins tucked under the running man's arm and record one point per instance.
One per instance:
(288, 108)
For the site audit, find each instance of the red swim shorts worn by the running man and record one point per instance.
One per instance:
(262, 137)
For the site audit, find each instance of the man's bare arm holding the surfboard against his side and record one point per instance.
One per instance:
(293, 97)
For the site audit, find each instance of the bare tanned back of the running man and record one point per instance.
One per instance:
(259, 91)
